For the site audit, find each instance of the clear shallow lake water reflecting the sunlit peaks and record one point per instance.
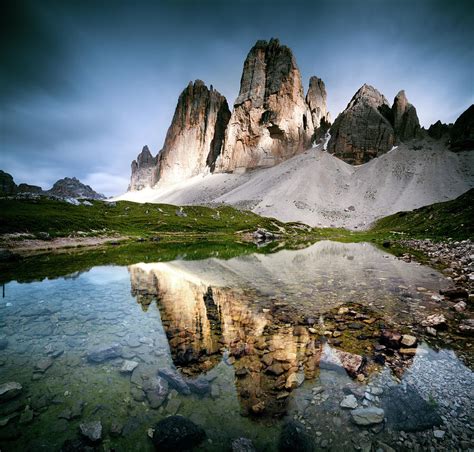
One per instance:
(234, 337)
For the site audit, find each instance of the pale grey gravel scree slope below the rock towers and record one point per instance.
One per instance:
(320, 190)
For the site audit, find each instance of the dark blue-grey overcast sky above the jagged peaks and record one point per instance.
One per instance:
(85, 84)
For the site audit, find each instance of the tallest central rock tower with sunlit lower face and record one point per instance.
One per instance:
(271, 121)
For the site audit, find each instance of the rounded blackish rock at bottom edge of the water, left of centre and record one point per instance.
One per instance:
(177, 433)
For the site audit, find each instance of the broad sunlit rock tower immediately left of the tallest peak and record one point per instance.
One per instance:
(195, 136)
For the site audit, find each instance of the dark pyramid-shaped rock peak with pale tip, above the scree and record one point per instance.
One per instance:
(363, 130)
